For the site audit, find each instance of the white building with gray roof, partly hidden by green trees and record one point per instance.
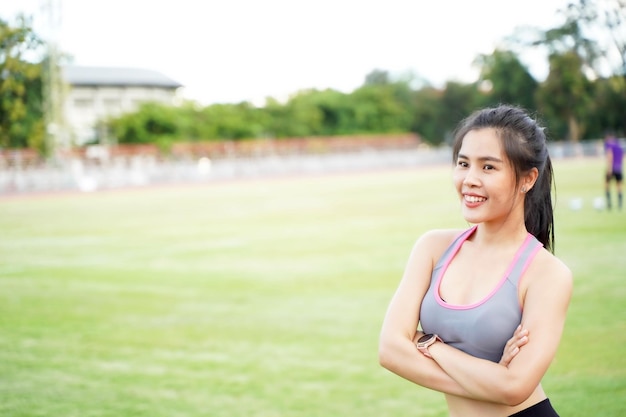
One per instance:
(96, 93)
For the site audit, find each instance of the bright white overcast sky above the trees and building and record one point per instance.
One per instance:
(228, 51)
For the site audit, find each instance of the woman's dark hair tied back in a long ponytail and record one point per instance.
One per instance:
(524, 143)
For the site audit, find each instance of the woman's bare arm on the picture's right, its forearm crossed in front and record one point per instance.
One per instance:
(545, 305)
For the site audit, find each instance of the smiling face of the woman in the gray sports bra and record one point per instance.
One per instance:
(484, 178)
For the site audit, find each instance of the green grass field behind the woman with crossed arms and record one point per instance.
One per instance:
(264, 297)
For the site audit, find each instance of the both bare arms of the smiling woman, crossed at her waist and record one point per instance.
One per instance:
(454, 372)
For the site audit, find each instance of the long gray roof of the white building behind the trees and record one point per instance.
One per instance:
(116, 77)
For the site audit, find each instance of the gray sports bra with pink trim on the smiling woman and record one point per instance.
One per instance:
(481, 329)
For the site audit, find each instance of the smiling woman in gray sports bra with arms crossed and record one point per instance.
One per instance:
(473, 290)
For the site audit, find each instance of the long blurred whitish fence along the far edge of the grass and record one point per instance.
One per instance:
(137, 171)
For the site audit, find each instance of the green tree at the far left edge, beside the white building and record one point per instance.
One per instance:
(21, 103)
